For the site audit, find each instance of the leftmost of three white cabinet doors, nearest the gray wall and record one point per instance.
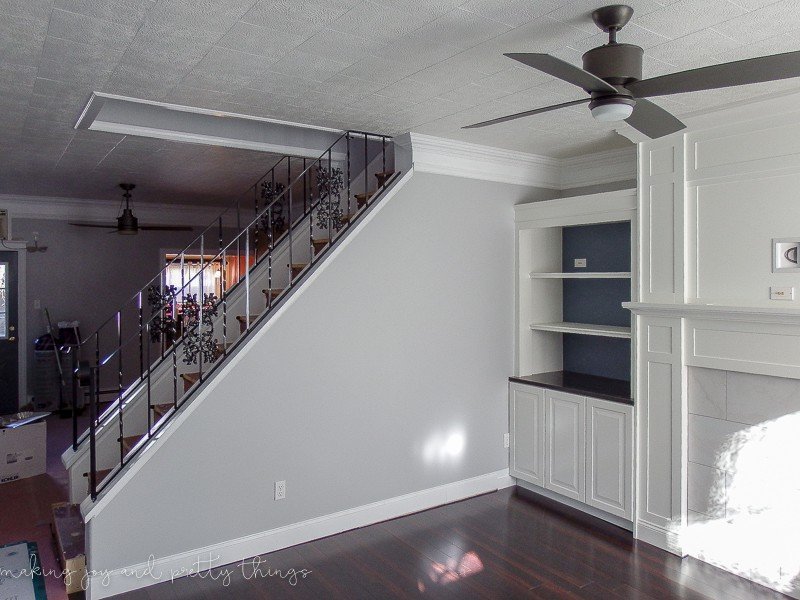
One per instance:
(526, 412)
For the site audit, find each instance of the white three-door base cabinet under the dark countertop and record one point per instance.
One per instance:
(575, 446)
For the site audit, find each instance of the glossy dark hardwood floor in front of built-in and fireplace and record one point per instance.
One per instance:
(508, 544)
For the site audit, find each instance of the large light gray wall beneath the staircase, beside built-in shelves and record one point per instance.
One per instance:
(401, 343)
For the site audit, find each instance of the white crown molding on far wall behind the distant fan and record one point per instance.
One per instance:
(105, 211)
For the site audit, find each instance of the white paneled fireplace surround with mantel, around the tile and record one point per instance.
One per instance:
(710, 201)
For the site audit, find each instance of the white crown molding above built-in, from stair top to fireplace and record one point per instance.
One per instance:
(462, 159)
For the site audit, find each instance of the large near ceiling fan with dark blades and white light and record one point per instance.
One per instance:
(612, 75)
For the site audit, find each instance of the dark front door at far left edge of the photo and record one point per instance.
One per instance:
(9, 339)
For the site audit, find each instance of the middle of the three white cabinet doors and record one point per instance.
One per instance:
(565, 465)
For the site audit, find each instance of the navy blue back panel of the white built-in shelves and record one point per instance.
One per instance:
(606, 247)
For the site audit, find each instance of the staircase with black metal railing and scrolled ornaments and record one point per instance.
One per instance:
(150, 359)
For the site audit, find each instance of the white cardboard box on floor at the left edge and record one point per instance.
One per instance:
(23, 451)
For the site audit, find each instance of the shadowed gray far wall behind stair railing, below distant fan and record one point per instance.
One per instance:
(87, 274)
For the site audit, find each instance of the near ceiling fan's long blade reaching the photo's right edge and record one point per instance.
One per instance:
(740, 72)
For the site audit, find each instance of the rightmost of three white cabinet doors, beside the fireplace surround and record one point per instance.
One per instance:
(609, 450)
